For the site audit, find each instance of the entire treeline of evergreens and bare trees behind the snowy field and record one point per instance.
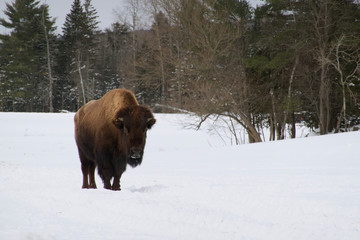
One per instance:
(277, 64)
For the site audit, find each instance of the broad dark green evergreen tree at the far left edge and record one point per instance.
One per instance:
(23, 56)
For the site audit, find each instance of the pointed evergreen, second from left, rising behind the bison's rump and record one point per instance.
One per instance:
(77, 53)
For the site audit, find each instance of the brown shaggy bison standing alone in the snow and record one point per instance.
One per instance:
(111, 133)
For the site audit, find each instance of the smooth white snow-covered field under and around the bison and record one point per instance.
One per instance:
(187, 187)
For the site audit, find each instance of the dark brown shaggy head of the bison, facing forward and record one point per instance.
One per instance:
(134, 122)
